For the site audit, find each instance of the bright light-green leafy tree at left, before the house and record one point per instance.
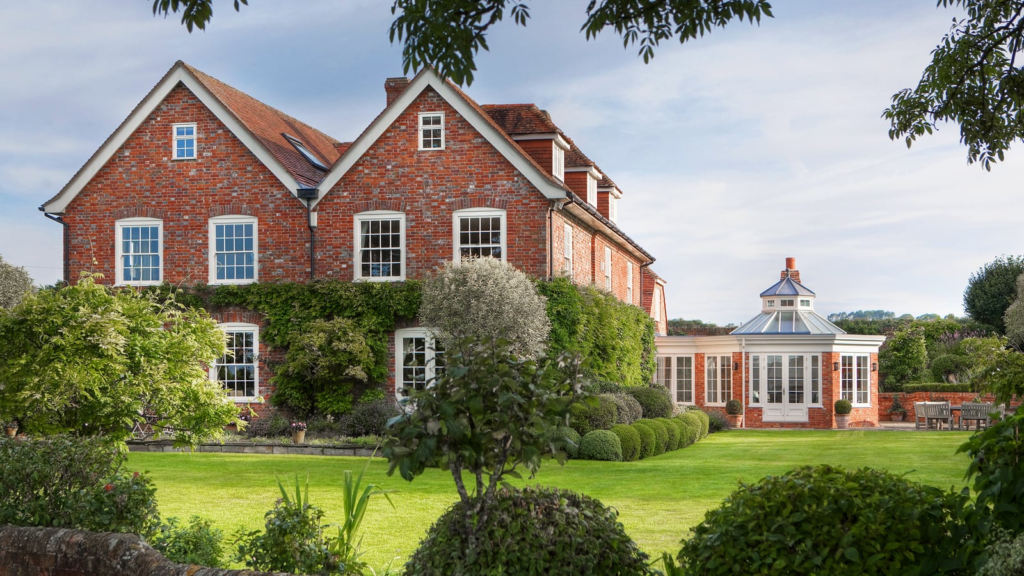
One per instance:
(90, 360)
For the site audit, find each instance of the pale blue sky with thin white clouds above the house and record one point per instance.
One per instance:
(734, 152)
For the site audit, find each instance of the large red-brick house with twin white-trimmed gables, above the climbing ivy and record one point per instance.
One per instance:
(204, 184)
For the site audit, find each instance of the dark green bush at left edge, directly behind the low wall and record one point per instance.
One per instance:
(68, 482)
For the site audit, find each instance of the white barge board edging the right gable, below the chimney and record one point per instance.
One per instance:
(430, 78)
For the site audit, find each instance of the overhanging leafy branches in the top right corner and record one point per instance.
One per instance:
(975, 80)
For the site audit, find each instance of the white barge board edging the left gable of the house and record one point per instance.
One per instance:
(179, 74)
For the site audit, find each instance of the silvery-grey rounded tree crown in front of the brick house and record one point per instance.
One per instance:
(484, 300)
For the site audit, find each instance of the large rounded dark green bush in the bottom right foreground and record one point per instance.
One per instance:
(827, 520)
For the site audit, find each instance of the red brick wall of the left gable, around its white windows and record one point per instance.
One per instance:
(226, 179)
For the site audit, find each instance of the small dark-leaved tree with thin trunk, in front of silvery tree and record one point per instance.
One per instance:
(491, 415)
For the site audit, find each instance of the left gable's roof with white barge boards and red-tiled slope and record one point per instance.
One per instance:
(259, 127)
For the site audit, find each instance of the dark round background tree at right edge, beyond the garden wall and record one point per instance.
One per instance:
(991, 292)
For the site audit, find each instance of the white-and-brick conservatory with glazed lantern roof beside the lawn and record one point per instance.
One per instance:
(788, 365)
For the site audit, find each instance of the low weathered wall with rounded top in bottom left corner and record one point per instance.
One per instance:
(57, 552)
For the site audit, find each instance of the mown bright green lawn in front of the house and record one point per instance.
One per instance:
(659, 500)
